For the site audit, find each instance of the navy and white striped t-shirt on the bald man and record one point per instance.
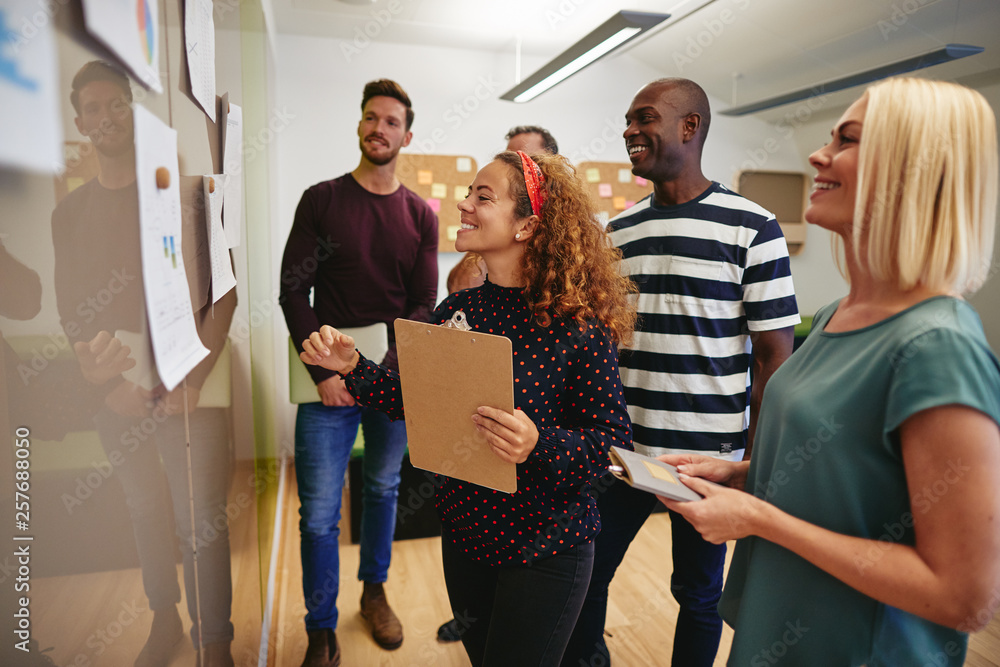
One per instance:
(709, 272)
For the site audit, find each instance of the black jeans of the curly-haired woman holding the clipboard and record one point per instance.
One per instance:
(521, 615)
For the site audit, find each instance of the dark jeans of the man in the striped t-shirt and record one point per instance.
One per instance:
(696, 582)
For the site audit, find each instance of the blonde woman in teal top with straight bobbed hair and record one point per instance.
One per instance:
(870, 523)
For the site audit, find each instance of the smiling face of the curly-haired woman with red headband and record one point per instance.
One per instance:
(488, 220)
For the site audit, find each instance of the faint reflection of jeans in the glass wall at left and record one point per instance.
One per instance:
(150, 460)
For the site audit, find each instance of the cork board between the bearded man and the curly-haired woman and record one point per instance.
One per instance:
(442, 181)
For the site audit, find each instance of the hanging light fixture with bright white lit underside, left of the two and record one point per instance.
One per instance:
(619, 29)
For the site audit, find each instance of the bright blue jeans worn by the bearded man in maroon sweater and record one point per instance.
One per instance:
(324, 436)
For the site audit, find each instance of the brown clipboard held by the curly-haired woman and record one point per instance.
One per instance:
(446, 374)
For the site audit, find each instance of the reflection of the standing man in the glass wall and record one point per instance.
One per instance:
(99, 288)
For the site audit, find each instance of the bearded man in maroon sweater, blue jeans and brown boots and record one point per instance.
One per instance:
(366, 247)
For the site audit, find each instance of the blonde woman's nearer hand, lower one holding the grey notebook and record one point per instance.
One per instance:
(723, 514)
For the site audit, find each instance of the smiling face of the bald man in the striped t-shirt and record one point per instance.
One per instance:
(655, 133)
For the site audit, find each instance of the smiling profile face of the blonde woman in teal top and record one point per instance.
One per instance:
(831, 204)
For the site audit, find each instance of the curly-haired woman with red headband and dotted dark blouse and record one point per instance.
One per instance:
(517, 566)
